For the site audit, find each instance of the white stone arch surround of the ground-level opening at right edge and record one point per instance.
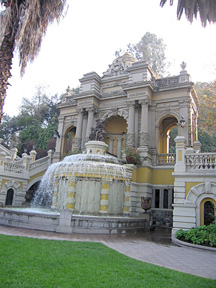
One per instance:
(198, 194)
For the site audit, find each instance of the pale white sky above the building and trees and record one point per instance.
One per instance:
(87, 38)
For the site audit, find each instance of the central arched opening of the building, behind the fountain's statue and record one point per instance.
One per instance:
(116, 129)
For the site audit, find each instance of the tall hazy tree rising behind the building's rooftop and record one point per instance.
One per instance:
(150, 49)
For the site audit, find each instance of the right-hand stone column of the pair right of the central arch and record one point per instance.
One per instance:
(144, 123)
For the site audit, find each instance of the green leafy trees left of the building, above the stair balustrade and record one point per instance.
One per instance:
(34, 126)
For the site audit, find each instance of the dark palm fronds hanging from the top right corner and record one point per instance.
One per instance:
(205, 8)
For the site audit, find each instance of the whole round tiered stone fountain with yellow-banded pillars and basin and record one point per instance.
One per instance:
(85, 193)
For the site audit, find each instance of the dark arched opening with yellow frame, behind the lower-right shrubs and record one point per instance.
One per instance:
(208, 212)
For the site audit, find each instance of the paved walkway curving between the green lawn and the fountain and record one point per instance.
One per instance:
(188, 260)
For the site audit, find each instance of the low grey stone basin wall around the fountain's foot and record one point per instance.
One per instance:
(50, 221)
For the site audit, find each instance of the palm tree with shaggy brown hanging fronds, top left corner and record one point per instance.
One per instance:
(23, 25)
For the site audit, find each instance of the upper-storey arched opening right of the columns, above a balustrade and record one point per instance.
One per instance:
(166, 126)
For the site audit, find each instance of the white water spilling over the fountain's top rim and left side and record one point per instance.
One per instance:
(103, 165)
